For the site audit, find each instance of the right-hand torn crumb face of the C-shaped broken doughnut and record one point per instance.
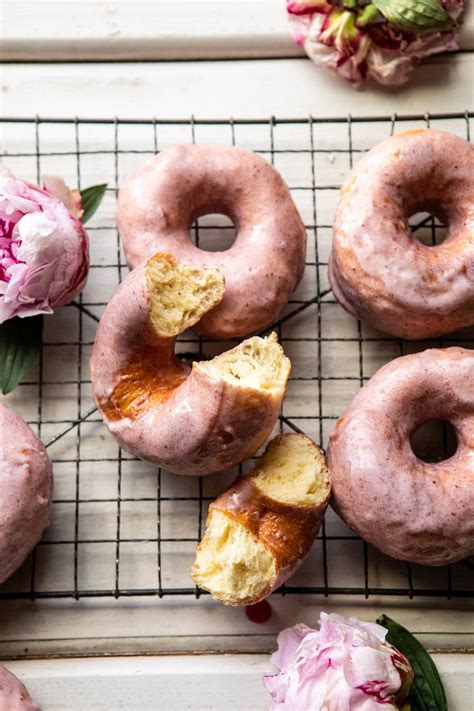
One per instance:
(258, 363)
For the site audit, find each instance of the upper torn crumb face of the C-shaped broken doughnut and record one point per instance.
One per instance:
(180, 295)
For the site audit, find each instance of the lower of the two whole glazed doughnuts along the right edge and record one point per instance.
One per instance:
(409, 509)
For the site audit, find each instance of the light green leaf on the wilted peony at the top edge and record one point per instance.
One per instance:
(415, 15)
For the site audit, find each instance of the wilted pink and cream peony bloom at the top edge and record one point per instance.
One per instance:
(337, 34)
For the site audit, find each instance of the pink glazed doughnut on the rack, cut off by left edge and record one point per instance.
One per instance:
(26, 487)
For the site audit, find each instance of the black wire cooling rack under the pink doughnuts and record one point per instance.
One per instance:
(122, 528)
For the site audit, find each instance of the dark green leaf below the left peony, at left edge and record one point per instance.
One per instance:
(20, 344)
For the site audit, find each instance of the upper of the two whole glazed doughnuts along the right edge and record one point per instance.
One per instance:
(378, 270)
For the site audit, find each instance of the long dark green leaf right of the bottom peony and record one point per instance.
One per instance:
(427, 693)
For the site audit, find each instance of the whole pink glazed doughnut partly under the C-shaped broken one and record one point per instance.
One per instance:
(159, 202)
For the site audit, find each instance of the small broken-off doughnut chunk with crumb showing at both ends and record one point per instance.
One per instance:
(261, 529)
